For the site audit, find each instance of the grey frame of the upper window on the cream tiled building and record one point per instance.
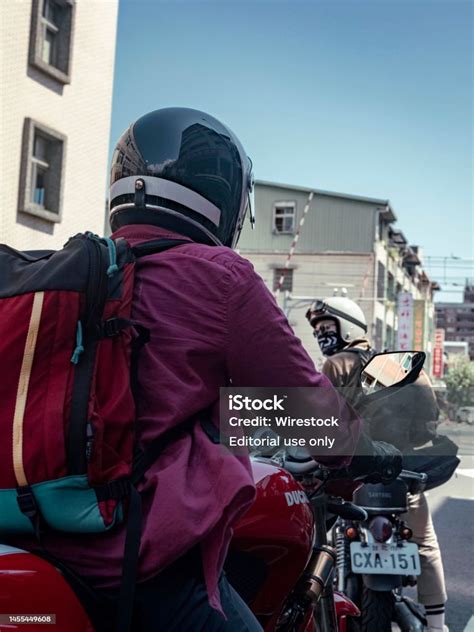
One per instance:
(39, 26)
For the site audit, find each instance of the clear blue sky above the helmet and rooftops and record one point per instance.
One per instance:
(366, 97)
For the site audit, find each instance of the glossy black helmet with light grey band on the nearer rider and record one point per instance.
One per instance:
(184, 171)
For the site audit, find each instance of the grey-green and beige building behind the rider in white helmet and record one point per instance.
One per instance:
(346, 242)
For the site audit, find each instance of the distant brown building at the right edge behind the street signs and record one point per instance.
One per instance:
(457, 319)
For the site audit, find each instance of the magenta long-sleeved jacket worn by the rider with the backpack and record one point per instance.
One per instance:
(212, 320)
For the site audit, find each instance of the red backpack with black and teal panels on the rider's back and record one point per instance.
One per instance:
(68, 457)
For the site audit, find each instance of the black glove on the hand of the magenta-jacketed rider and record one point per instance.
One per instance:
(376, 461)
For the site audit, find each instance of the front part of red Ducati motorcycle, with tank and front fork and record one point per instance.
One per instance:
(280, 561)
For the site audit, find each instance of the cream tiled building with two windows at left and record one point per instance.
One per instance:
(57, 65)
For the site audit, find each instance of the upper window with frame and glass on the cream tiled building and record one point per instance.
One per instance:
(51, 37)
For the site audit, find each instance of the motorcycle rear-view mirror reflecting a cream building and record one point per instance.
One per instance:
(391, 368)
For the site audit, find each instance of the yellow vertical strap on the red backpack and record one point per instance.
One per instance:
(22, 392)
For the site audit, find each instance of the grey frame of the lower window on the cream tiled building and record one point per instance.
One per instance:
(29, 163)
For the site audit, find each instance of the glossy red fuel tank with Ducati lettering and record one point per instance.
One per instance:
(276, 535)
